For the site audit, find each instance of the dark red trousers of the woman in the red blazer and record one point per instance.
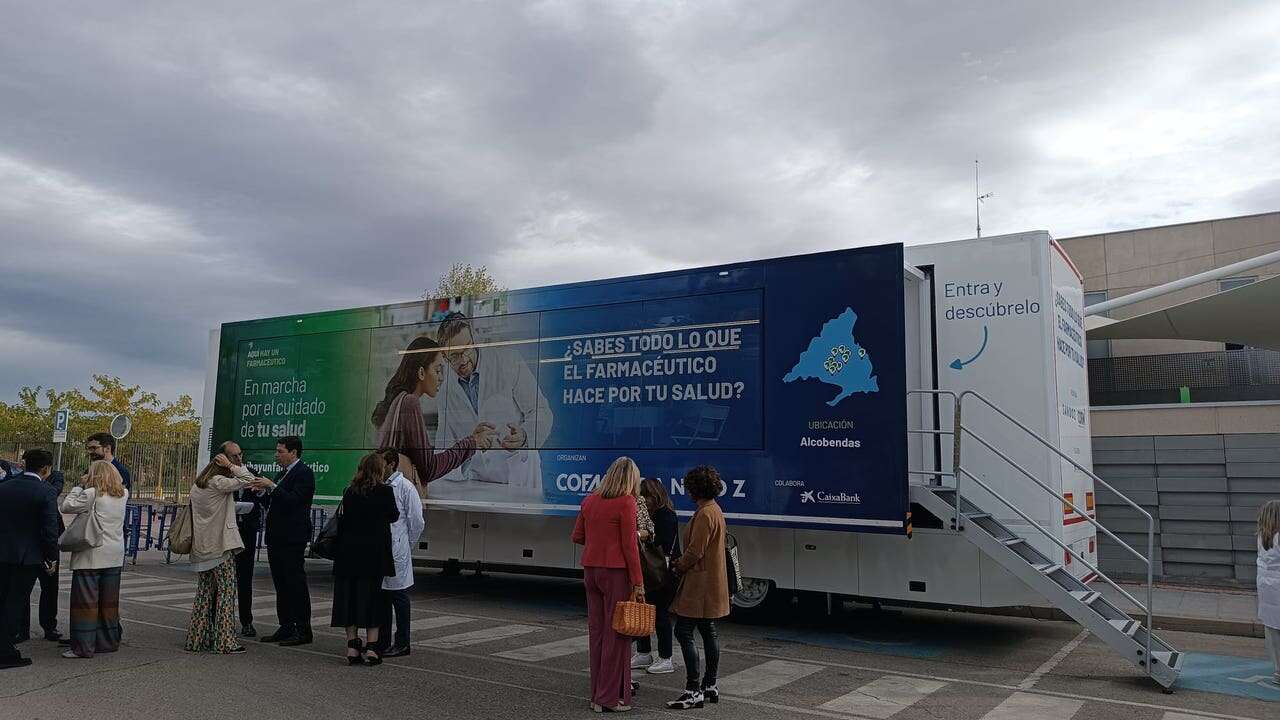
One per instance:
(611, 653)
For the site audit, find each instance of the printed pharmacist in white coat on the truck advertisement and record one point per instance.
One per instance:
(491, 385)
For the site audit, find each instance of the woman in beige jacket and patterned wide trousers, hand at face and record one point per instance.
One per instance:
(214, 545)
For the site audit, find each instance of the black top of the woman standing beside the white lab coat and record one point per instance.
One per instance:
(365, 535)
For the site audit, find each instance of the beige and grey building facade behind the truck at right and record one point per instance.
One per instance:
(1191, 431)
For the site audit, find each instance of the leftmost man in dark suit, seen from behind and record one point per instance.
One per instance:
(29, 543)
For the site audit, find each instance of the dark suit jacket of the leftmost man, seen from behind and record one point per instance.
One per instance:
(29, 522)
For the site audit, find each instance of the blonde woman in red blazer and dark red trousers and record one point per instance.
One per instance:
(611, 562)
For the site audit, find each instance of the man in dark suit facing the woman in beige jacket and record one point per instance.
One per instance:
(289, 531)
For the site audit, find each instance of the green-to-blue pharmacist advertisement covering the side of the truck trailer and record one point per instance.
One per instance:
(787, 375)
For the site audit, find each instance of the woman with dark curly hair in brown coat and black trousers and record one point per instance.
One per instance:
(703, 595)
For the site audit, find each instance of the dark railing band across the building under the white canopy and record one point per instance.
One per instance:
(1231, 375)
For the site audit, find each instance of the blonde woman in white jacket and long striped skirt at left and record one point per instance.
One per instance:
(97, 572)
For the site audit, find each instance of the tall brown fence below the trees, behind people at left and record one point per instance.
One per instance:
(161, 468)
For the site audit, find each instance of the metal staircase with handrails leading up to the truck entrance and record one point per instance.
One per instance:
(1053, 581)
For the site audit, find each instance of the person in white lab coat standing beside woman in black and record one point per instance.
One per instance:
(406, 532)
